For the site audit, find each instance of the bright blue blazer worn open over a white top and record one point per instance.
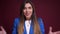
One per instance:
(17, 20)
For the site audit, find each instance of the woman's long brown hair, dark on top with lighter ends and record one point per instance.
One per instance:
(33, 18)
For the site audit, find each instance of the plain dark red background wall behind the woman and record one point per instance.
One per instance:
(48, 10)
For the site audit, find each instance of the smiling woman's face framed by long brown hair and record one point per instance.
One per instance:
(28, 10)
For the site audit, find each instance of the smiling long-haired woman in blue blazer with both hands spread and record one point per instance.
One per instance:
(28, 23)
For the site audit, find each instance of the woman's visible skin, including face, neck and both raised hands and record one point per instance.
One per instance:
(27, 13)
